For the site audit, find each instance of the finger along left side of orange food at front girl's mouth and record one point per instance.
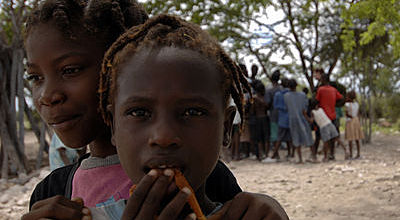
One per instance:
(157, 192)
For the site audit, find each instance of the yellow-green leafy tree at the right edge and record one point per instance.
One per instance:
(371, 40)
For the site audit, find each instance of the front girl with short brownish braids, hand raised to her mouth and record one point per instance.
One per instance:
(164, 90)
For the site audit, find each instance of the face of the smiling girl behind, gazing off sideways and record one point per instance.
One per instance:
(64, 75)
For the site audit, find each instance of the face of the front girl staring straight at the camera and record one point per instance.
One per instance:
(169, 112)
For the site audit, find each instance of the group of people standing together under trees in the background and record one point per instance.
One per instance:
(280, 114)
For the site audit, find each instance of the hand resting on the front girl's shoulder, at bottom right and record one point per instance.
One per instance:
(251, 206)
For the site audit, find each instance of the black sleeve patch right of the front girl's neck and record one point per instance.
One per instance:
(221, 185)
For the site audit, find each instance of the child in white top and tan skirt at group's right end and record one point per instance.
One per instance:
(353, 130)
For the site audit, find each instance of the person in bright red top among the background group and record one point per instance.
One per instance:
(327, 97)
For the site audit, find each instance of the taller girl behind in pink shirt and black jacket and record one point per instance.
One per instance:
(65, 43)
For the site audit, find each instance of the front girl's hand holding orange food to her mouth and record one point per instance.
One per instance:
(146, 199)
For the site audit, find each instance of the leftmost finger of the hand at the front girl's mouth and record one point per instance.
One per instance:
(139, 194)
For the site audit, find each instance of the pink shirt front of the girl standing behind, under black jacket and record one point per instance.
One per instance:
(101, 185)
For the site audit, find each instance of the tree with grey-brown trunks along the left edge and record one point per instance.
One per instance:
(12, 85)
